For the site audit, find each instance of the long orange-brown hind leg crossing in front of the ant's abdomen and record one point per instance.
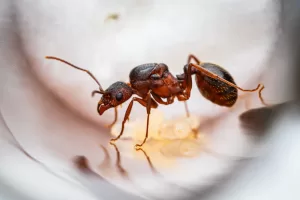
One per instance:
(214, 76)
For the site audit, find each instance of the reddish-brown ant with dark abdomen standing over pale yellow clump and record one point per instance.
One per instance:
(153, 82)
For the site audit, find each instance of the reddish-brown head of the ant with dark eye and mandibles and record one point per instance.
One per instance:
(114, 95)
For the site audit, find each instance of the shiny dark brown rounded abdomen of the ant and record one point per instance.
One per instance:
(215, 90)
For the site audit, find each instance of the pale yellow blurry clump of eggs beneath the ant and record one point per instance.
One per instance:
(168, 139)
